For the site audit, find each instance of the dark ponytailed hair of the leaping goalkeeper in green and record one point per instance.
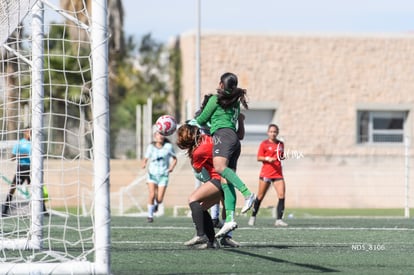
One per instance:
(230, 94)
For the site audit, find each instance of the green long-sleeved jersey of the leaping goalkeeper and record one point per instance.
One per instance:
(219, 117)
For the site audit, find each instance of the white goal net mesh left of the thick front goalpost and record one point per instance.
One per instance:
(67, 234)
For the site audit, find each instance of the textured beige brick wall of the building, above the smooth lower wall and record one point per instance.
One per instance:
(318, 82)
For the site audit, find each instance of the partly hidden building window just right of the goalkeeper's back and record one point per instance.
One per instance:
(256, 123)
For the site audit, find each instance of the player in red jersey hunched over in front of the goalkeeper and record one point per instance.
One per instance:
(199, 148)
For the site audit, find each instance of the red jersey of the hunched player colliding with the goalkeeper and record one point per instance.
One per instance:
(203, 157)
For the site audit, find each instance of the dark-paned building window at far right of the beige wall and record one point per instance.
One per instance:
(381, 126)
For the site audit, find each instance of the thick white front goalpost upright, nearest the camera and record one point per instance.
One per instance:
(100, 95)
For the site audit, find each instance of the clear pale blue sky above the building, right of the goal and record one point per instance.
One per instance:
(168, 18)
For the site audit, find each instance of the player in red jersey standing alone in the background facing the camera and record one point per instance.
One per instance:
(271, 154)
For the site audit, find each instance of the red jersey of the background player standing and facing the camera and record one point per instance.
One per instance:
(271, 170)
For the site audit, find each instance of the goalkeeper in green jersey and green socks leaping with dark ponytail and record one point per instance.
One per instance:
(222, 113)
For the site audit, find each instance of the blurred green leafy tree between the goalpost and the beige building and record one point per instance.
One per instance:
(140, 78)
